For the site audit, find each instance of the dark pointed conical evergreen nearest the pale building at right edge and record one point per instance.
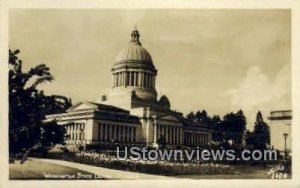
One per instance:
(261, 133)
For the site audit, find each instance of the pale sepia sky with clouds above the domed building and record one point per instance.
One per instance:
(217, 60)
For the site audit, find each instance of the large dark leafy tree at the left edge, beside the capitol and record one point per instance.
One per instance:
(28, 105)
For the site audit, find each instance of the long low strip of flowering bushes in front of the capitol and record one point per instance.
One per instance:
(151, 167)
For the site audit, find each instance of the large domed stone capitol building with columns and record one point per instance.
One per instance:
(131, 112)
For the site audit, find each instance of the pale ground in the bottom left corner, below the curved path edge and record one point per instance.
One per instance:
(37, 170)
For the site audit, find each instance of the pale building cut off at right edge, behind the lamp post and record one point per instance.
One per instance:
(280, 130)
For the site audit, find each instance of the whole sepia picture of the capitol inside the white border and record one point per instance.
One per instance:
(135, 94)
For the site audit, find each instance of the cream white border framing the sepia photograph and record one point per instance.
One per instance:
(294, 5)
